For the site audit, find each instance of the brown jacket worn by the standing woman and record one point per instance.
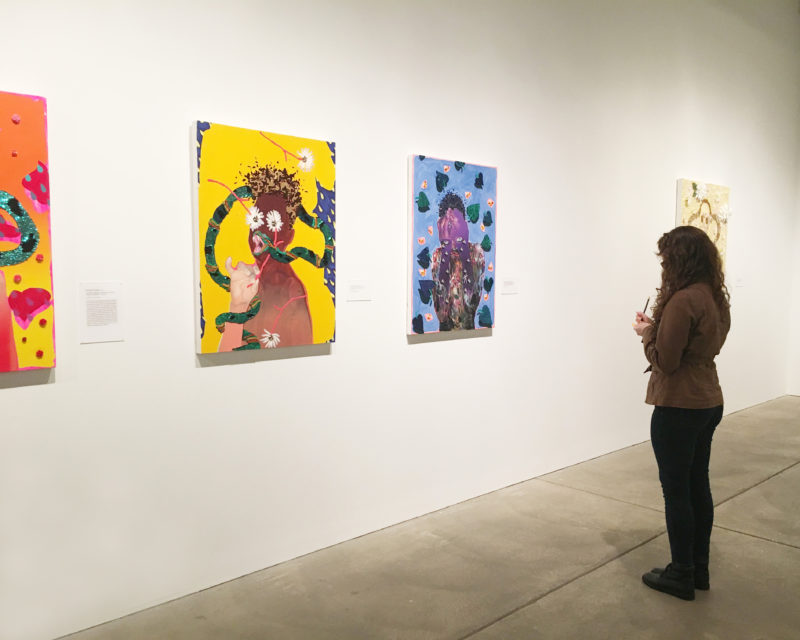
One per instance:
(681, 354)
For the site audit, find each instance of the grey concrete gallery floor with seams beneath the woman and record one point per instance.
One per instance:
(558, 556)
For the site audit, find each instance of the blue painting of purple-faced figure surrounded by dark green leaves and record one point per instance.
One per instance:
(452, 223)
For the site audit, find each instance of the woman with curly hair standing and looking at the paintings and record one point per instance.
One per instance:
(690, 322)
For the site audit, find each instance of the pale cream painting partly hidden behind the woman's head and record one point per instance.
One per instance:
(707, 207)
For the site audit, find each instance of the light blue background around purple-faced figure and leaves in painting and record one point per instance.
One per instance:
(459, 183)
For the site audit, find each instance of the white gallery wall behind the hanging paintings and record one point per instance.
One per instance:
(133, 474)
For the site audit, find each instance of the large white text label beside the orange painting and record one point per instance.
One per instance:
(101, 312)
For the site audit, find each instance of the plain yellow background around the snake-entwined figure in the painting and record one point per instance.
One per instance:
(226, 155)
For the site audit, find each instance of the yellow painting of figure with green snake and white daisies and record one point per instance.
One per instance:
(265, 231)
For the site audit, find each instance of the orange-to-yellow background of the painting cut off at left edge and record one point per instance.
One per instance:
(29, 140)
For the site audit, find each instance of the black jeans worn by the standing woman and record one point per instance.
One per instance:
(682, 443)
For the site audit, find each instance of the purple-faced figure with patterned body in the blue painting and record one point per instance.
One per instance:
(457, 268)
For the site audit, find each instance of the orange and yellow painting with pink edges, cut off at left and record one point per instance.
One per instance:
(27, 339)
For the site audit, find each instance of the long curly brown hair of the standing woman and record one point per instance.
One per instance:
(687, 257)
